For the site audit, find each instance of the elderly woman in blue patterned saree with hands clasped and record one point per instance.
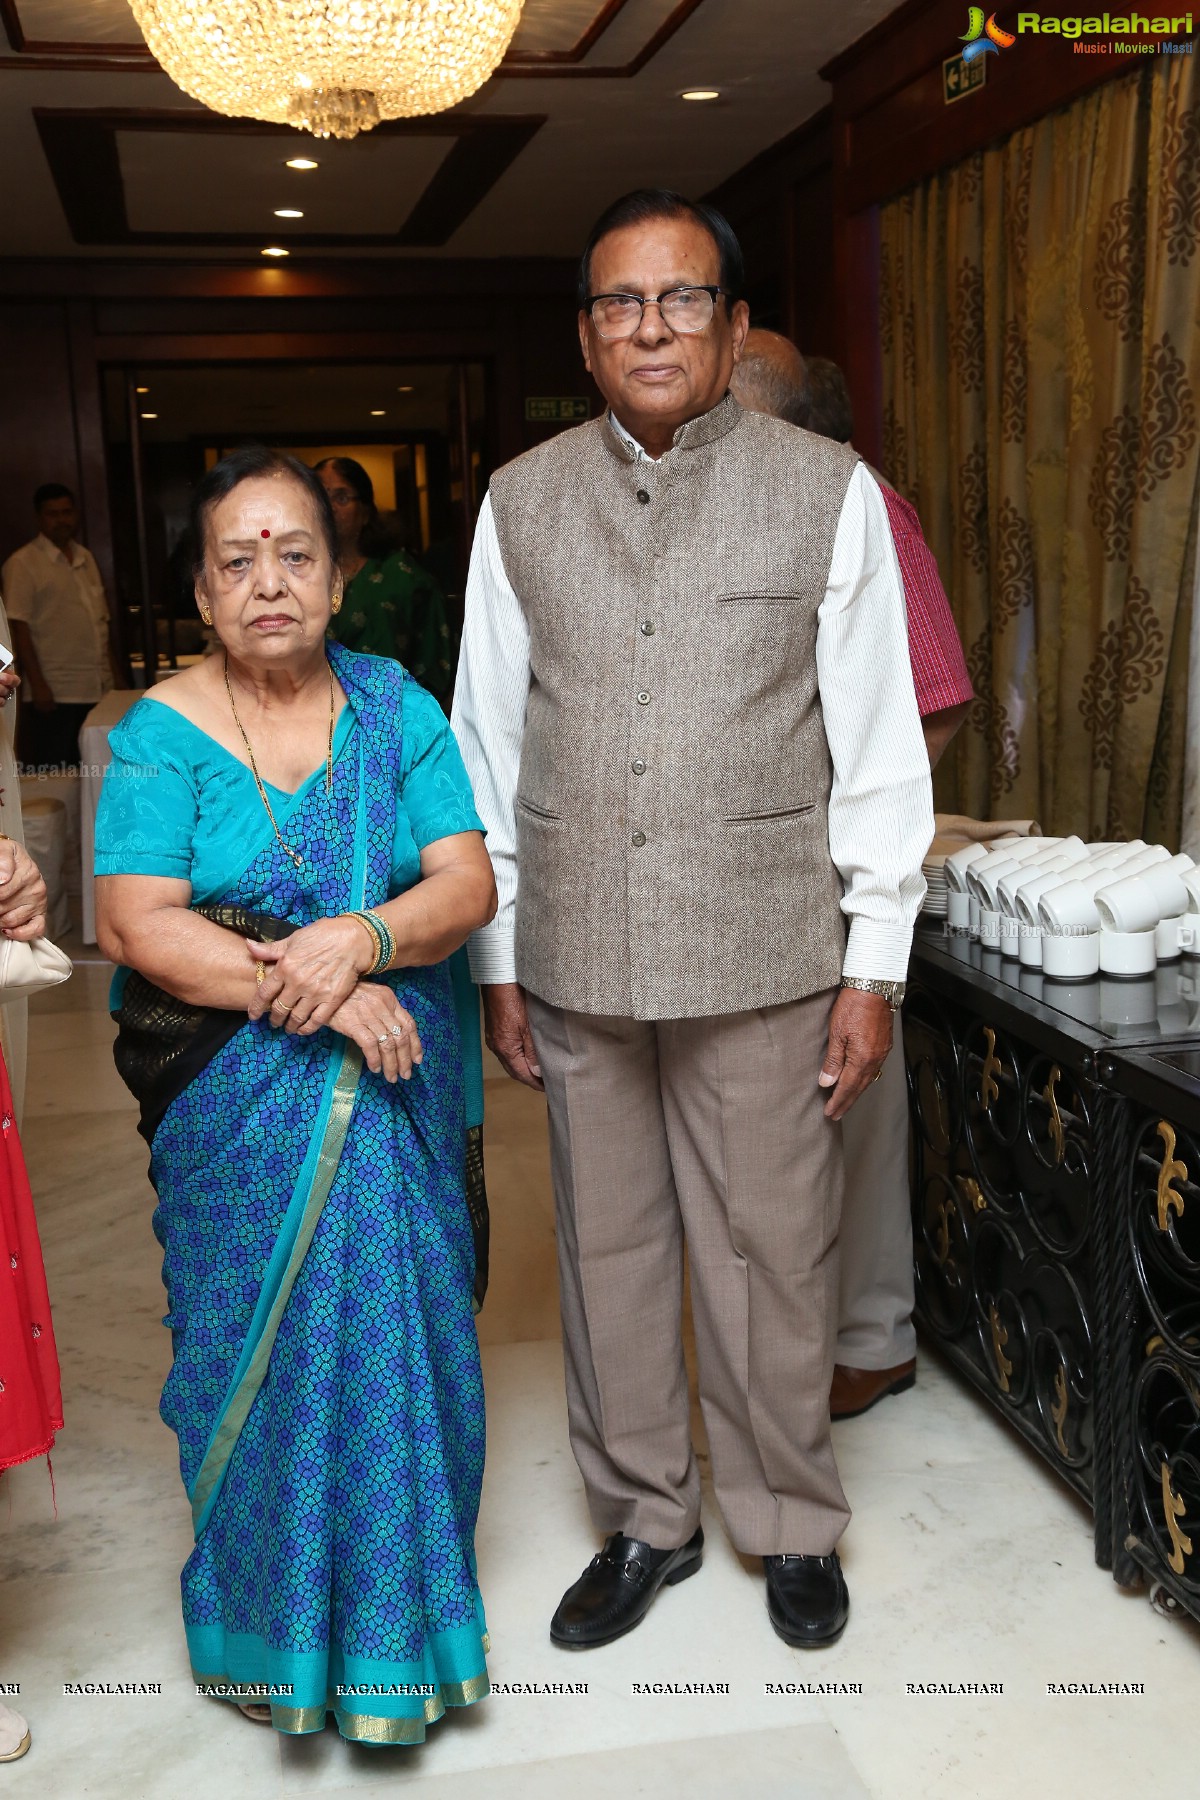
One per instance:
(287, 856)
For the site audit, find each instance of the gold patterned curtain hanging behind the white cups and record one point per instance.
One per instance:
(1041, 310)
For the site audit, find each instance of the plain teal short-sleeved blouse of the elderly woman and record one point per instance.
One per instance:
(177, 804)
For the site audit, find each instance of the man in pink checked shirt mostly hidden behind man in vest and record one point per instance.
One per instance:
(877, 1342)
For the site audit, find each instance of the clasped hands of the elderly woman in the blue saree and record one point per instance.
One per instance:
(316, 978)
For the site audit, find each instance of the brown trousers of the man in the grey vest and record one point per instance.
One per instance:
(708, 1131)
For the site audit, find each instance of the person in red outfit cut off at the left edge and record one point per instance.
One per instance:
(31, 1403)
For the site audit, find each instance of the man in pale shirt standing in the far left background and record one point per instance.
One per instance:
(62, 645)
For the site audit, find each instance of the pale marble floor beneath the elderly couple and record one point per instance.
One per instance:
(967, 1561)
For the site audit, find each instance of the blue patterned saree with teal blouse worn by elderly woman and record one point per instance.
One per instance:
(318, 1255)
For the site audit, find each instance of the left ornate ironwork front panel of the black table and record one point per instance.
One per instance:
(1005, 1144)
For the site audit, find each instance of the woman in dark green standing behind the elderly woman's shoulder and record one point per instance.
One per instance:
(393, 607)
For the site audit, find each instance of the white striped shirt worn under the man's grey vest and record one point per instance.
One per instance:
(881, 807)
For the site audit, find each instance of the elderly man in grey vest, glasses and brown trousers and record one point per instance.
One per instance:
(686, 710)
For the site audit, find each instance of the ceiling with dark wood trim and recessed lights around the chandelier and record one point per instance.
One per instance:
(526, 174)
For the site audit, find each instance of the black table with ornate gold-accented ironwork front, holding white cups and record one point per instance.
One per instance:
(1057, 1232)
